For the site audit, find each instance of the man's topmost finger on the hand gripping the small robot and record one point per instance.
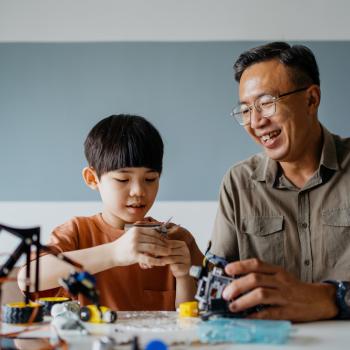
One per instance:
(250, 265)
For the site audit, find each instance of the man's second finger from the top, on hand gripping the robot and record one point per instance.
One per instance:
(247, 283)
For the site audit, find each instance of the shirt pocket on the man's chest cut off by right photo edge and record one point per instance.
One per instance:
(336, 236)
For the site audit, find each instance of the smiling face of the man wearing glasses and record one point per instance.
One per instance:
(284, 135)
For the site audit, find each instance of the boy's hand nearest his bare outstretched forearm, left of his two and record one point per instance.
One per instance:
(140, 245)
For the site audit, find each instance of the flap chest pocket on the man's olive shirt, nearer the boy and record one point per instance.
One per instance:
(263, 238)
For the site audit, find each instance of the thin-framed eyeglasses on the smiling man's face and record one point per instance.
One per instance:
(265, 105)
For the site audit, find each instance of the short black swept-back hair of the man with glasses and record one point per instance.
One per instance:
(299, 58)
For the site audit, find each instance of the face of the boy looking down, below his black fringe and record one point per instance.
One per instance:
(127, 194)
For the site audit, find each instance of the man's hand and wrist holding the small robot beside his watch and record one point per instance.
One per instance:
(285, 296)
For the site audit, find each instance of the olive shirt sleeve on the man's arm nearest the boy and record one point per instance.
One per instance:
(224, 235)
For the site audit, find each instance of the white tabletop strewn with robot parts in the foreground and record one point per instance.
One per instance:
(315, 335)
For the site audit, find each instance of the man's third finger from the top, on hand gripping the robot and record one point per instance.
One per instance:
(264, 296)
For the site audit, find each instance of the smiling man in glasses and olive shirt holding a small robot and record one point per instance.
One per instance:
(284, 215)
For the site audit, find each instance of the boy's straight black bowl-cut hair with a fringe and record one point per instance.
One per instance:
(121, 141)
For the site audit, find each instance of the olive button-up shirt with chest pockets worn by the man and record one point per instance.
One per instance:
(307, 231)
